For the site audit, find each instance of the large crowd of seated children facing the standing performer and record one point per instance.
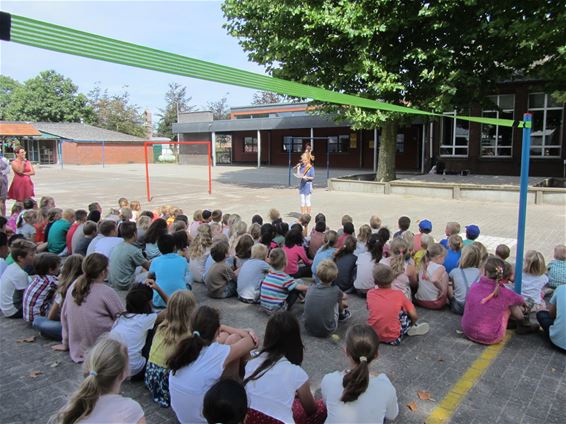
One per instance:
(65, 286)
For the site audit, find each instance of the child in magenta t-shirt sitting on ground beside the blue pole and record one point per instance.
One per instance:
(489, 306)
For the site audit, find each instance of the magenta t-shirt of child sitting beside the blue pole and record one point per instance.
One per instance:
(486, 322)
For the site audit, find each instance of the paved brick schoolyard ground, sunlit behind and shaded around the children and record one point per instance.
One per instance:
(526, 382)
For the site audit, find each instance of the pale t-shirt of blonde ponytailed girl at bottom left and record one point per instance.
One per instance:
(114, 409)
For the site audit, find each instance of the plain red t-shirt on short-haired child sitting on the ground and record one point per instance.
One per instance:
(384, 306)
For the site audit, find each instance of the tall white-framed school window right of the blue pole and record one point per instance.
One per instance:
(547, 122)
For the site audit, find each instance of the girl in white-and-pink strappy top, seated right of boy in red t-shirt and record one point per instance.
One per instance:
(433, 279)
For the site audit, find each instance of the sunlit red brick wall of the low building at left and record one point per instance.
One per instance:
(115, 153)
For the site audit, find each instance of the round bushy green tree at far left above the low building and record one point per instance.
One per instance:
(48, 97)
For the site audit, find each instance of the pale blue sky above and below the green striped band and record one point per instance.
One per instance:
(190, 28)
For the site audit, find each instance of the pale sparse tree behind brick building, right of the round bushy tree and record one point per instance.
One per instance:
(115, 112)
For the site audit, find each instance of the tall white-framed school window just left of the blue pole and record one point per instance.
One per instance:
(497, 141)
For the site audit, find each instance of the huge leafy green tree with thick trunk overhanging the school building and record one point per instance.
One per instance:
(430, 55)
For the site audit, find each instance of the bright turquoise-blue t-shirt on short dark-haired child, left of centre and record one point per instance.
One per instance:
(171, 274)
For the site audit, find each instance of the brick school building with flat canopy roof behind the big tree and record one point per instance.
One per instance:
(271, 133)
